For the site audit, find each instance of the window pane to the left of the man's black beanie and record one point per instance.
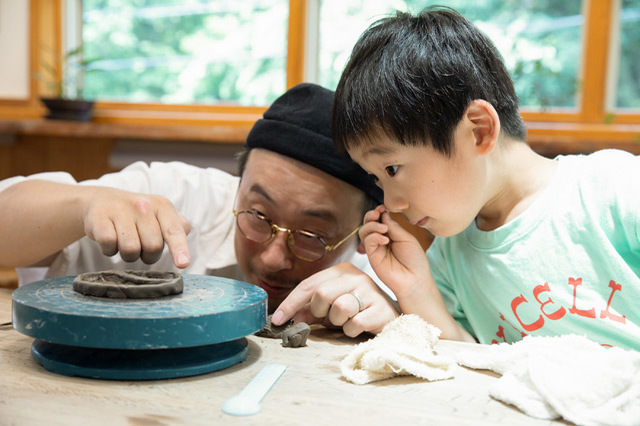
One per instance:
(185, 52)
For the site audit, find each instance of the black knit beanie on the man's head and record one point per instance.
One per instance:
(298, 125)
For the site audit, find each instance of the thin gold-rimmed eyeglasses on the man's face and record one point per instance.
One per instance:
(303, 244)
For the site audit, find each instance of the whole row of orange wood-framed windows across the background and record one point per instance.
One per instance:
(574, 63)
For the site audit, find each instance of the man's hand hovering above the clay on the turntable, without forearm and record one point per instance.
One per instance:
(136, 226)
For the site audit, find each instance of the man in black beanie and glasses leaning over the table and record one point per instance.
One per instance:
(294, 212)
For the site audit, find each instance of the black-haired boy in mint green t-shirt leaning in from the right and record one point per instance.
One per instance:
(525, 245)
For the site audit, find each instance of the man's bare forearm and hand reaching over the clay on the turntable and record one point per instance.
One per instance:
(40, 218)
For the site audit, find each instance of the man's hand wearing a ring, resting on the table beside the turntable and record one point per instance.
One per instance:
(330, 297)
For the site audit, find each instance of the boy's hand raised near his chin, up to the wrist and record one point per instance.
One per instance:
(395, 255)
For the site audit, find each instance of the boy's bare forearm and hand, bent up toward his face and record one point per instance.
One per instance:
(400, 262)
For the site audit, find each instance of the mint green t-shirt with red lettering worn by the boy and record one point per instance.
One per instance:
(569, 264)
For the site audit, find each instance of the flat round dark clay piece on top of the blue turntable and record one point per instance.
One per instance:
(129, 284)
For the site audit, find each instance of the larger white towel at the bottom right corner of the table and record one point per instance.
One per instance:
(565, 376)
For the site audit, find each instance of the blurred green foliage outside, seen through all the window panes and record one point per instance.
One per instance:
(234, 52)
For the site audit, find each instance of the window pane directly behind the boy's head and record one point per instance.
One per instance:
(540, 41)
